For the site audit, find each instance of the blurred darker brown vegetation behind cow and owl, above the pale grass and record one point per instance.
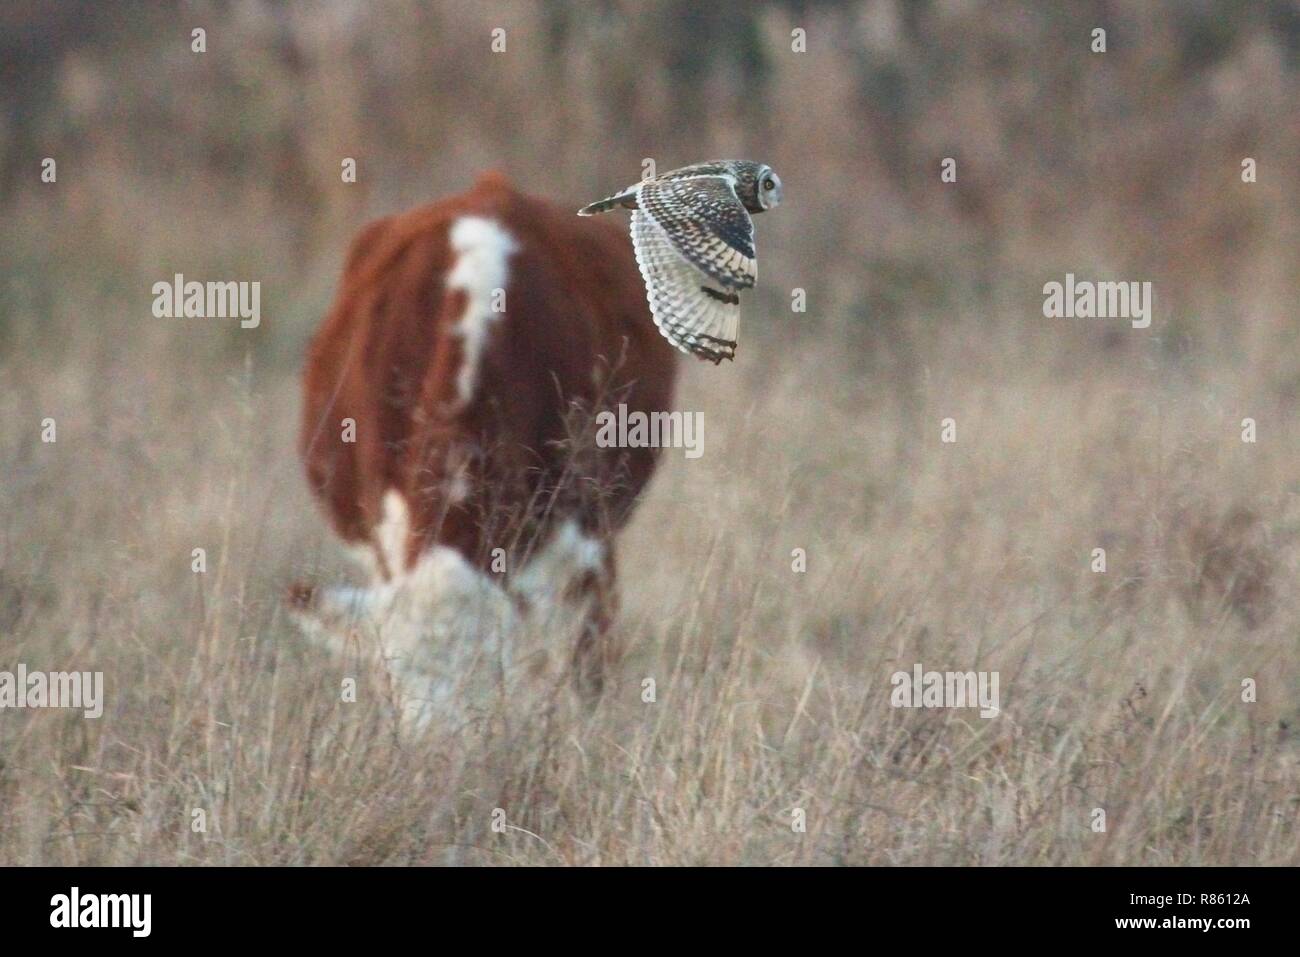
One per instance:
(227, 164)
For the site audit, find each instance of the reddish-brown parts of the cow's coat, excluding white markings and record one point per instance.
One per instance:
(577, 337)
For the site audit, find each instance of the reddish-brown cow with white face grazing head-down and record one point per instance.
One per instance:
(447, 422)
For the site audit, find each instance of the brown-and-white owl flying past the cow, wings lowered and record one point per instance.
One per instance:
(695, 244)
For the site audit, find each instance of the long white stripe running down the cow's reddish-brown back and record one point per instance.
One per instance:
(482, 248)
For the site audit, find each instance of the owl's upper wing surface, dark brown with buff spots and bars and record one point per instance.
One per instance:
(710, 227)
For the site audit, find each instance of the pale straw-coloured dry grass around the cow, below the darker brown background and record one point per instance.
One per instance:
(1120, 691)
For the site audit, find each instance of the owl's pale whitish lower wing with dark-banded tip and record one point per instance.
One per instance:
(690, 311)
